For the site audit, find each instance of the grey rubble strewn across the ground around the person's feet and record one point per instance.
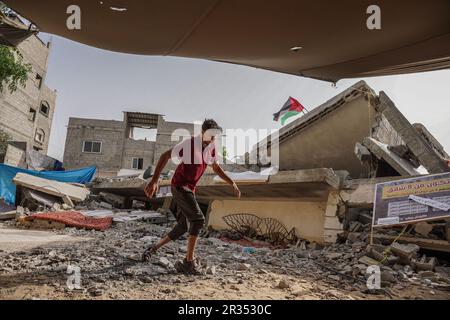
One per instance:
(110, 260)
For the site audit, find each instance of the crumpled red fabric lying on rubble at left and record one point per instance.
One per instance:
(74, 219)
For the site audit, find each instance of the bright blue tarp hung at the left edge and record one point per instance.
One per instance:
(8, 188)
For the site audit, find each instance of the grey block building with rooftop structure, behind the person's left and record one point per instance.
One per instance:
(116, 145)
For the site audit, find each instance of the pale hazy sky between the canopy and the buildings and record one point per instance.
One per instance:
(93, 83)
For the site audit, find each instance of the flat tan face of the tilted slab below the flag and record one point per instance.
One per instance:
(330, 142)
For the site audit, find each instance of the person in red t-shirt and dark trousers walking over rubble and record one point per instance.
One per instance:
(196, 154)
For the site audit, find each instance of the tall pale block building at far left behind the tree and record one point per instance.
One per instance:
(26, 115)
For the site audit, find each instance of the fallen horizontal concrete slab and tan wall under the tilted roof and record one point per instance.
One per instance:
(299, 199)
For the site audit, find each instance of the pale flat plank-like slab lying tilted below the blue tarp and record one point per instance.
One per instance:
(55, 188)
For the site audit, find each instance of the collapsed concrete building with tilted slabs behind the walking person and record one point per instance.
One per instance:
(330, 161)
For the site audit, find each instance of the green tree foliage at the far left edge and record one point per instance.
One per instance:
(13, 70)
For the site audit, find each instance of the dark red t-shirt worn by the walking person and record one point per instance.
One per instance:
(194, 161)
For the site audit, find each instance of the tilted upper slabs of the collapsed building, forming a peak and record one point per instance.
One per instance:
(328, 135)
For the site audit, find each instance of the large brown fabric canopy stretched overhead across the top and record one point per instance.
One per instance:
(334, 39)
